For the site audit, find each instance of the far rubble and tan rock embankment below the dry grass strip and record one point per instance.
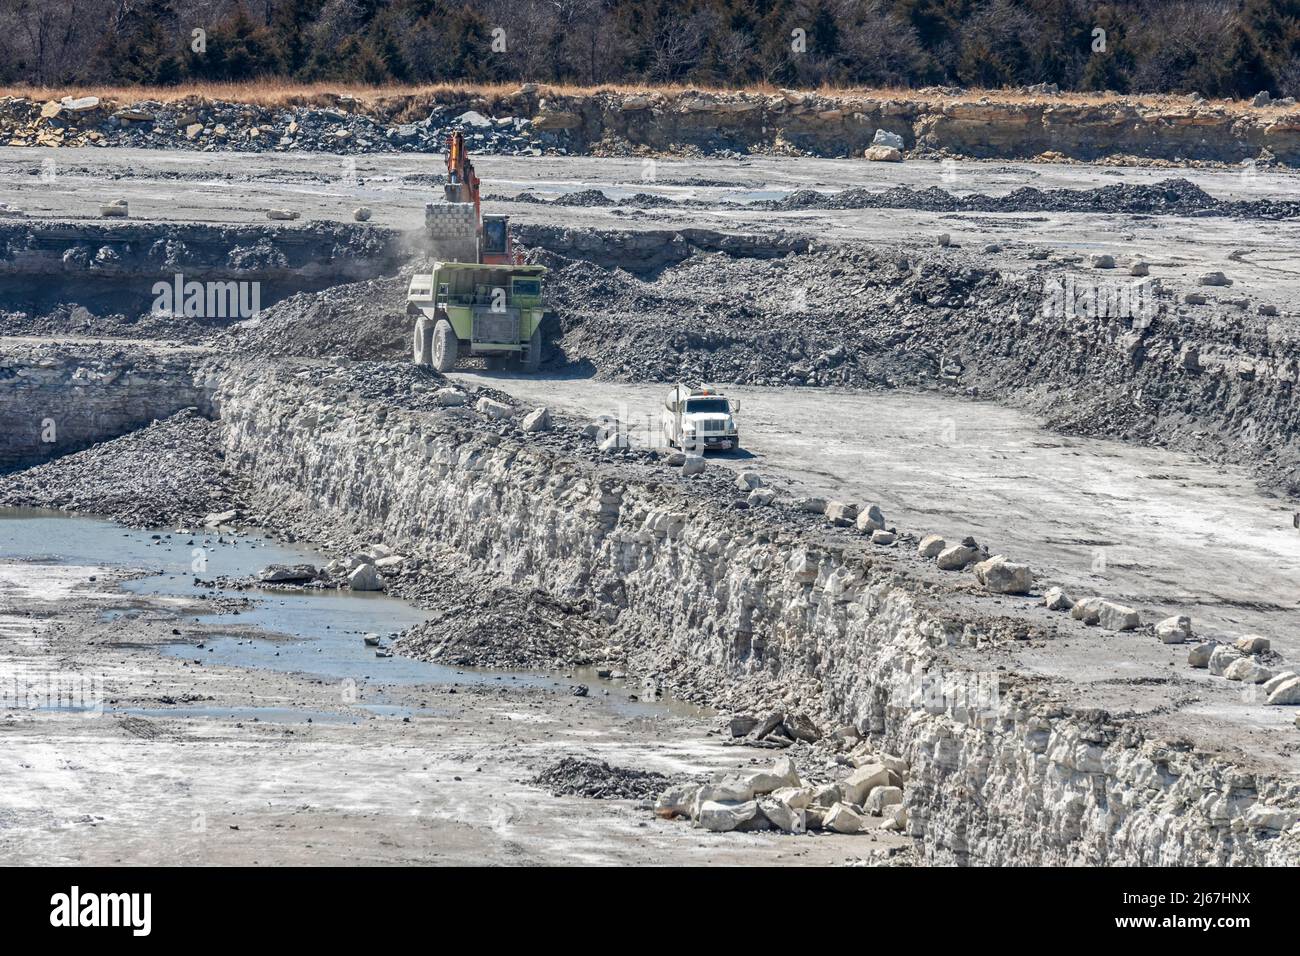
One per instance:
(1016, 126)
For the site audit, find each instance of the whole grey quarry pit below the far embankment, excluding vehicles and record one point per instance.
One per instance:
(625, 642)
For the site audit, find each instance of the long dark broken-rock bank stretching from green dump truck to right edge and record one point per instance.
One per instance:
(1210, 373)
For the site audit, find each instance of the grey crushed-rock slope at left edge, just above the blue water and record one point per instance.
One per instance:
(171, 474)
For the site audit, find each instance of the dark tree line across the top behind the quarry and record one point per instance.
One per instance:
(1215, 47)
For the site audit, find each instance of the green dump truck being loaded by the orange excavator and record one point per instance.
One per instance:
(478, 309)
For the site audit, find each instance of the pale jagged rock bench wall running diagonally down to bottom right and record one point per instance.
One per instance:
(695, 592)
